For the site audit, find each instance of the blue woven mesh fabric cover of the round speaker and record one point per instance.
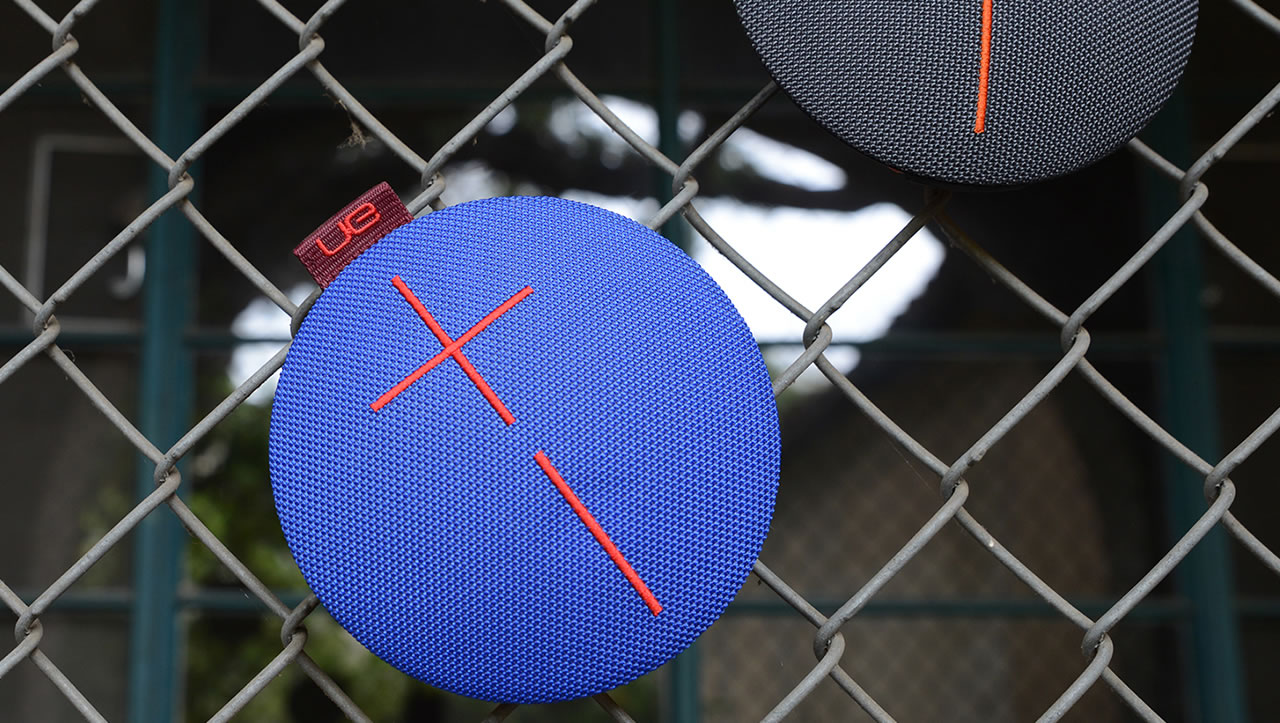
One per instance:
(428, 530)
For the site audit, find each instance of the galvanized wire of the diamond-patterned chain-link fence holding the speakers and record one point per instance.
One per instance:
(830, 647)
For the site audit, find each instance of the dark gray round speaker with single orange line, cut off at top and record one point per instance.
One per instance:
(977, 93)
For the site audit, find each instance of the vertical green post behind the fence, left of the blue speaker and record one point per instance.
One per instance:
(167, 378)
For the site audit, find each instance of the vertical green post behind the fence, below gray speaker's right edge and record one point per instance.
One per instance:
(1215, 690)
